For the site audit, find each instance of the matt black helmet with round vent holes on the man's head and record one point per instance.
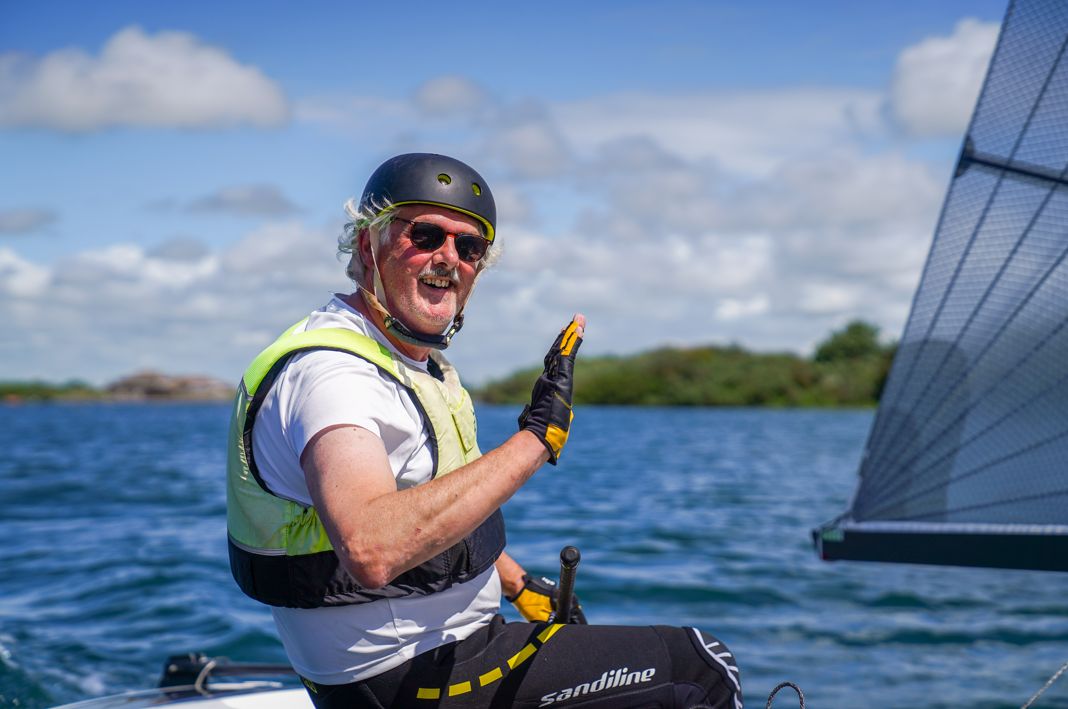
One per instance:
(430, 179)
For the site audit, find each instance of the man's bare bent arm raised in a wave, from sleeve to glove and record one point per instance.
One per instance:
(380, 532)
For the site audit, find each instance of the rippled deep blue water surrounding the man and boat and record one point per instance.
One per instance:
(115, 557)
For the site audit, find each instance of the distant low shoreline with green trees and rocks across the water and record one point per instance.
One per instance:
(847, 371)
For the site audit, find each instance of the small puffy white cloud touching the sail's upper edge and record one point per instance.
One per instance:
(938, 81)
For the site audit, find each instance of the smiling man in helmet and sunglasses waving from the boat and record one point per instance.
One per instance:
(362, 510)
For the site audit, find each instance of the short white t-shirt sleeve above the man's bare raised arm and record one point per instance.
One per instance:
(329, 389)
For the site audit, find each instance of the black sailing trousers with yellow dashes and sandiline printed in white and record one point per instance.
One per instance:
(535, 665)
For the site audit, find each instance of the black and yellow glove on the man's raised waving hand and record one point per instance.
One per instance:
(549, 414)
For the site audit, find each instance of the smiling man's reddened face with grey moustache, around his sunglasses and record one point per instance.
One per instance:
(426, 289)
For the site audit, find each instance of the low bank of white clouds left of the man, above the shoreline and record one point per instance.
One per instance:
(170, 309)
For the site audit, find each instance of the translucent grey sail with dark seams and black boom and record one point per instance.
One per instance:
(967, 463)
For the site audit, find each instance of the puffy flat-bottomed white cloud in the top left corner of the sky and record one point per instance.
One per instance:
(170, 80)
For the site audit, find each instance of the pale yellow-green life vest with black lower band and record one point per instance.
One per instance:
(279, 550)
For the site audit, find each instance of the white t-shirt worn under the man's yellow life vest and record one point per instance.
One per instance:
(323, 388)
